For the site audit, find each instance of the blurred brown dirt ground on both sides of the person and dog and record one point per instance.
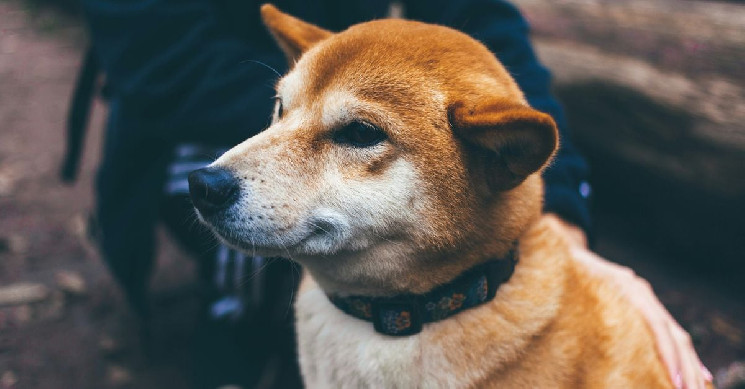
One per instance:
(72, 330)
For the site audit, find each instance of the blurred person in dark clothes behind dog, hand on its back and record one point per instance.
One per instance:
(187, 79)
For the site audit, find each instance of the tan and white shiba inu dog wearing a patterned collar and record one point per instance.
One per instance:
(402, 169)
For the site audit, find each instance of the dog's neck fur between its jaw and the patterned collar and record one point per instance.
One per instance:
(492, 236)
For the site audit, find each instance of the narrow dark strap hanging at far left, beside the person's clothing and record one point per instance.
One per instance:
(77, 116)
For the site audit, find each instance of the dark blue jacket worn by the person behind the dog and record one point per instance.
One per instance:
(198, 70)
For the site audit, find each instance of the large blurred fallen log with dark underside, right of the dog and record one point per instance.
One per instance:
(655, 95)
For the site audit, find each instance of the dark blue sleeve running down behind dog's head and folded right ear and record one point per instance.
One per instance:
(501, 27)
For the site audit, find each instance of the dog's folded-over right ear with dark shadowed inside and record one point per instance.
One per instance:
(510, 141)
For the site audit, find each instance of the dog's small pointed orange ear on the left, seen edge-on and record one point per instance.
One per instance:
(293, 35)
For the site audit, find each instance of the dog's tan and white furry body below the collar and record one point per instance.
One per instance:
(556, 328)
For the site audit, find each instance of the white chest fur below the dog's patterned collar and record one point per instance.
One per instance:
(340, 351)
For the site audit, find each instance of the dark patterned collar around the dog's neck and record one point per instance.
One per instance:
(404, 315)
